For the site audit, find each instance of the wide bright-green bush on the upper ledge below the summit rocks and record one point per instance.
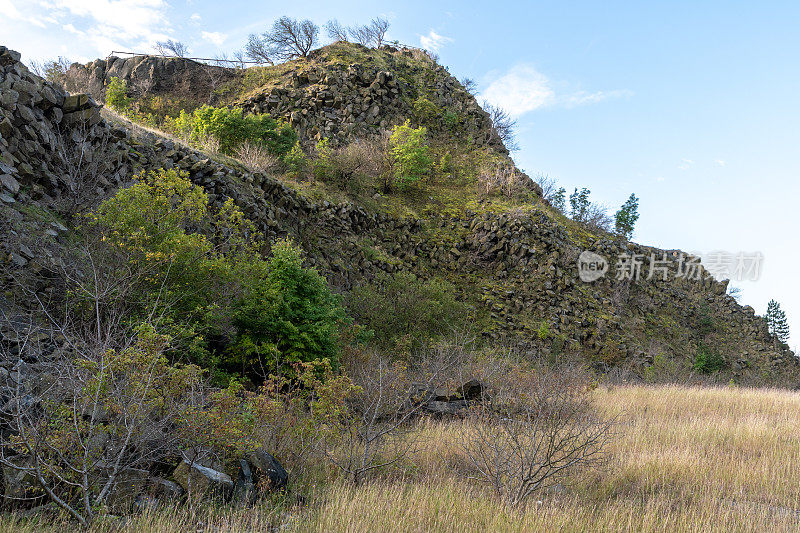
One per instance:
(231, 128)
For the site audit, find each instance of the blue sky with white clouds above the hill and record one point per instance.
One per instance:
(691, 105)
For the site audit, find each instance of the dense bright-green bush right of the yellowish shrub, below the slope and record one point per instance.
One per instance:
(288, 315)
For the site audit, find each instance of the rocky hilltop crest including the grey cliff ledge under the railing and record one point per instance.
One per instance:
(340, 91)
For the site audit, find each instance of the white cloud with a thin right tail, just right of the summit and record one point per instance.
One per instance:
(523, 89)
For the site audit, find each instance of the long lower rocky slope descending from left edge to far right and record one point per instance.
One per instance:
(528, 287)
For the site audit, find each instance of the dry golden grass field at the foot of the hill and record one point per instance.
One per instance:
(682, 459)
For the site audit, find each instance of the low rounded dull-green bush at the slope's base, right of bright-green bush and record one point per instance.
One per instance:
(403, 309)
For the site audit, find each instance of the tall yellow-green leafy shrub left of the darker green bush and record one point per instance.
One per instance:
(158, 223)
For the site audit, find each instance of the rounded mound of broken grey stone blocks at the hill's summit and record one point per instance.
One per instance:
(343, 101)
